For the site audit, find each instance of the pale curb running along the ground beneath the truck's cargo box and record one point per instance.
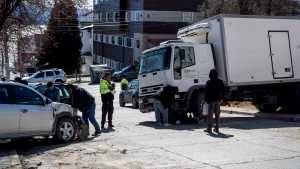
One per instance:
(281, 117)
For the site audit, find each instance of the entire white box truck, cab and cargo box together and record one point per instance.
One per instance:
(258, 58)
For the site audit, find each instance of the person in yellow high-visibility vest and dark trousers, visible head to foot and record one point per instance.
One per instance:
(107, 97)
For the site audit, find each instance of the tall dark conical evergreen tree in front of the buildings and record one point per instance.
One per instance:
(62, 43)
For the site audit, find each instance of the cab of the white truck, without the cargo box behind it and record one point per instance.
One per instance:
(175, 63)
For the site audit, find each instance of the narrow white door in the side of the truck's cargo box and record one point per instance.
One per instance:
(280, 53)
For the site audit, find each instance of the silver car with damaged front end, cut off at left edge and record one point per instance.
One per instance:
(25, 112)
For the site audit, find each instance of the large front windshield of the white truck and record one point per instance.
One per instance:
(156, 60)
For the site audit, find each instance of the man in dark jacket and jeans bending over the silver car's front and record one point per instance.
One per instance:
(85, 102)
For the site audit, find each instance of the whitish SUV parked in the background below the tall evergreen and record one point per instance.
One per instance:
(44, 76)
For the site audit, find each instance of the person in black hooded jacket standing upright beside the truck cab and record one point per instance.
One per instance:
(214, 94)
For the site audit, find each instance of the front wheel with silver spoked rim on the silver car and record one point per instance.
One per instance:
(65, 130)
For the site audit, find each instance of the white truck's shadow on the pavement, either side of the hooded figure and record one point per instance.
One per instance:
(242, 123)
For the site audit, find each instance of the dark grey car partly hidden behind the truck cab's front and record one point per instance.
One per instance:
(130, 95)
